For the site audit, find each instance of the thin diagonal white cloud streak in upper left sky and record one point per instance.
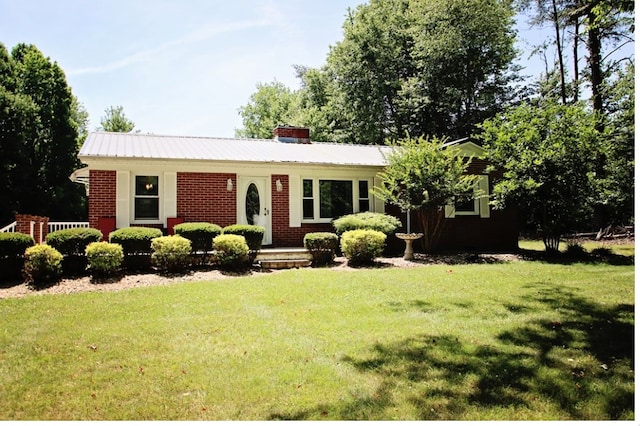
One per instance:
(202, 34)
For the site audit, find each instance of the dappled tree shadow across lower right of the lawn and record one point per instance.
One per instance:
(575, 361)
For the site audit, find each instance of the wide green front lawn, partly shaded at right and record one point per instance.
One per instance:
(522, 340)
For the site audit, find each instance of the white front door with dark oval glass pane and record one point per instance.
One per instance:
(254, 203)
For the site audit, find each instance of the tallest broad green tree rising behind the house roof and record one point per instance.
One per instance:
(436, 67)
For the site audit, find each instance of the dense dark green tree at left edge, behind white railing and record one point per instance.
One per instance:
(38, 137)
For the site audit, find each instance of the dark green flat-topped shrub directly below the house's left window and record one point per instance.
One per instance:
(136, 245)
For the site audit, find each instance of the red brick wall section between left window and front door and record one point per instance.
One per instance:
(203, 197)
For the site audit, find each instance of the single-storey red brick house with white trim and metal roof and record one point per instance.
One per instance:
(289, 185)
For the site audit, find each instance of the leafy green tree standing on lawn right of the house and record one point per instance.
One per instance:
(547, 152)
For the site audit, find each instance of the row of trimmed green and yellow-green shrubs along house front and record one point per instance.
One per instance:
(360, 236)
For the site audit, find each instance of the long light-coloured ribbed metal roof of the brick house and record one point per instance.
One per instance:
(146, 146)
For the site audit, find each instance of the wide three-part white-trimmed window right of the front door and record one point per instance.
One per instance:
(326, 199)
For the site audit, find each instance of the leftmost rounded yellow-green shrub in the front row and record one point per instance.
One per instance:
(42, 265)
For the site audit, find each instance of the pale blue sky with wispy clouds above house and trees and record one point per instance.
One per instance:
(180, 67)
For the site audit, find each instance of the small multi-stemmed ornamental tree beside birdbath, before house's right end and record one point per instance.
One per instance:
(423, 175)
